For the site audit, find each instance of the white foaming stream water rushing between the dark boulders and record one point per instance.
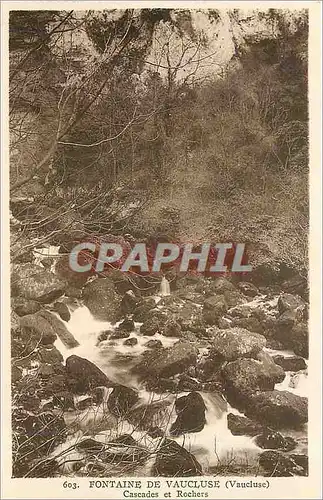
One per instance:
(212, 446)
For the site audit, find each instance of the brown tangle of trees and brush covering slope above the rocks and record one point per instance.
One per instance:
(227, 154)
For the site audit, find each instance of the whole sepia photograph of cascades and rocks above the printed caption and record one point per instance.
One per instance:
(159, 231)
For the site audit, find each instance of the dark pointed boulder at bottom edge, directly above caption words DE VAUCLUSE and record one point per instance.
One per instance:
(172, 460)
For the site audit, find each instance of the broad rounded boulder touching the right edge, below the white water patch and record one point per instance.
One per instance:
(279, 409)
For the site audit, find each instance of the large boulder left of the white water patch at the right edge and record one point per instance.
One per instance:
(244, 376)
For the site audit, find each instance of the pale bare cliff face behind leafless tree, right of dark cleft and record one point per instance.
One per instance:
(200, 43)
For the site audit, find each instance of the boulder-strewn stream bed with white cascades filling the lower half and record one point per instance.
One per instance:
(111, 380)
